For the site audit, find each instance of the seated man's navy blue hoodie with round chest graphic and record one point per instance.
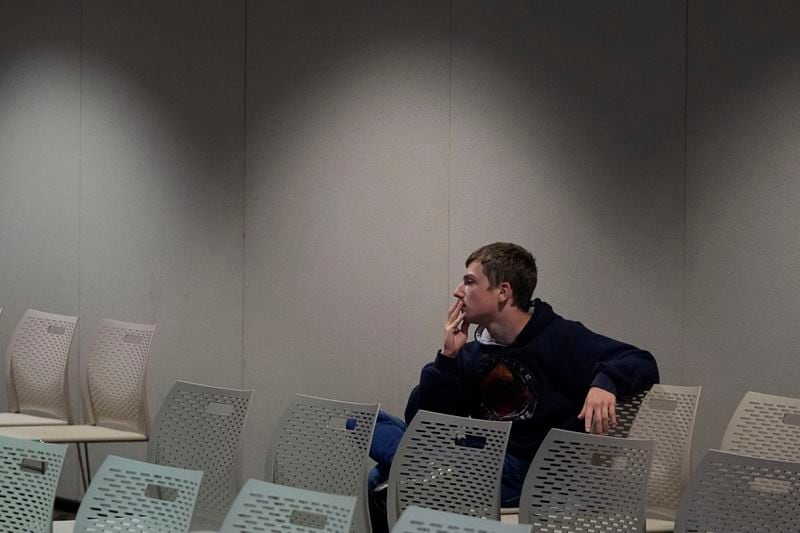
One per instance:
(539, 381)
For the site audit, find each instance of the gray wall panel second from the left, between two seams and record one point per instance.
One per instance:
(162, 183)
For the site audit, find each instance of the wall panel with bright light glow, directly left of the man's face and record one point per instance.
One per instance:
(346, 248)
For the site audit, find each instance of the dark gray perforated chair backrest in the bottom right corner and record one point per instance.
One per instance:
(732, 492)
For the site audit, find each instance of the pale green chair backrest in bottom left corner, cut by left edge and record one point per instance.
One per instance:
(29, 473)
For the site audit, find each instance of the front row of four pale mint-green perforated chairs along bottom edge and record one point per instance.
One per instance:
(129, 495)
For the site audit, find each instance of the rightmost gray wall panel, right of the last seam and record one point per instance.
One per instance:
(743, 221)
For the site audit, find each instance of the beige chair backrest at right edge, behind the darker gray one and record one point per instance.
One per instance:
(765, 426)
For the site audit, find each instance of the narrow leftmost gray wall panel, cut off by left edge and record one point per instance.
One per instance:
(39, 167)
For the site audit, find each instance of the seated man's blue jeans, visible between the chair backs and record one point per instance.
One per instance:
(389, 432)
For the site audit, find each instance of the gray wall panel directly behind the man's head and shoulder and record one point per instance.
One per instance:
(567, 137)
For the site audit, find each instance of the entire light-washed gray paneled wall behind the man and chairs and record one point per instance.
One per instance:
(289, 189)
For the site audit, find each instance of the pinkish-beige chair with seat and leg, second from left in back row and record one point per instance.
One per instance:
(114, 392)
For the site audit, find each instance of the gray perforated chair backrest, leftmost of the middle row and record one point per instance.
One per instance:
(200, 428)
